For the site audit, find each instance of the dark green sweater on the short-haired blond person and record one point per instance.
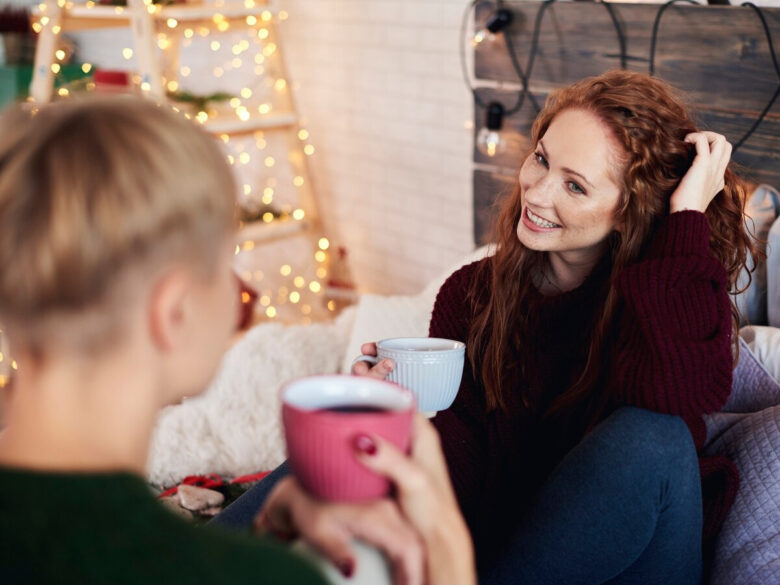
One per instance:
(107, 528)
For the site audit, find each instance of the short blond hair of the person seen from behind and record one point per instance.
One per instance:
(94, 187)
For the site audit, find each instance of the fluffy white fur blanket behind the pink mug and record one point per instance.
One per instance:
(234, 427)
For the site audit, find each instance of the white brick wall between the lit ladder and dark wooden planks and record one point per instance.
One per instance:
(379, 87)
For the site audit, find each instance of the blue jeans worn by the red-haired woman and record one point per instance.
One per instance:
(623, 507)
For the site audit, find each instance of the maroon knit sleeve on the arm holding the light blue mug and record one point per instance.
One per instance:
(461, 427)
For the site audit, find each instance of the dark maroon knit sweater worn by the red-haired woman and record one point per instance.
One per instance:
(671, 354)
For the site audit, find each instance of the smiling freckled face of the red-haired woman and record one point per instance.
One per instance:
(571, 187)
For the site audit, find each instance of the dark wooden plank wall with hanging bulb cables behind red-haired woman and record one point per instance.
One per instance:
(717, 56)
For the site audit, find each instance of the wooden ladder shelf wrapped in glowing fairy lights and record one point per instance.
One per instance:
(281, 251)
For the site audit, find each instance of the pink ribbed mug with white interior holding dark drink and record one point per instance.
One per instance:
(322, 416)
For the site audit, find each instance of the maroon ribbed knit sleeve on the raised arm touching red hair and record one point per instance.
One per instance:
(674, 354)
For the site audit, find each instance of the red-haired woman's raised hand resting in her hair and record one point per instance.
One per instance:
(705, 179)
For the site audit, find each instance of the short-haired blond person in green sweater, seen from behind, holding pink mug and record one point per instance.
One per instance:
(117, 228)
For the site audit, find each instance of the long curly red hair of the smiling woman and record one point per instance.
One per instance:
(649, 121)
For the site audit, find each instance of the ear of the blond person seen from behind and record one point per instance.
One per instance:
(167, 309)
